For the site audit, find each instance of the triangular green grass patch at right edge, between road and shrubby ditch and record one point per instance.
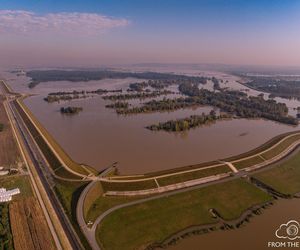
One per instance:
(285, 177)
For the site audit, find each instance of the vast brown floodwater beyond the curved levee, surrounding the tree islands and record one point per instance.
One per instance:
(98, 136)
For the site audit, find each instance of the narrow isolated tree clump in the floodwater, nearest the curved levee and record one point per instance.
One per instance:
(189, 122)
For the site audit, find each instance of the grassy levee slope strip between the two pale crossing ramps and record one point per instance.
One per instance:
(192, 175)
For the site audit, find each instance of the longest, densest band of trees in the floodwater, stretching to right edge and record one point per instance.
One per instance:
(233, 102)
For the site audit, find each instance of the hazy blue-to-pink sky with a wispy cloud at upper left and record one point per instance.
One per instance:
(102, 32)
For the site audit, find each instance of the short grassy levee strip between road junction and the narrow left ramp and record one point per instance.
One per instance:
(128, 186)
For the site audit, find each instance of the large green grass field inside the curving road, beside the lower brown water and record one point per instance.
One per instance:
(137, 226)
